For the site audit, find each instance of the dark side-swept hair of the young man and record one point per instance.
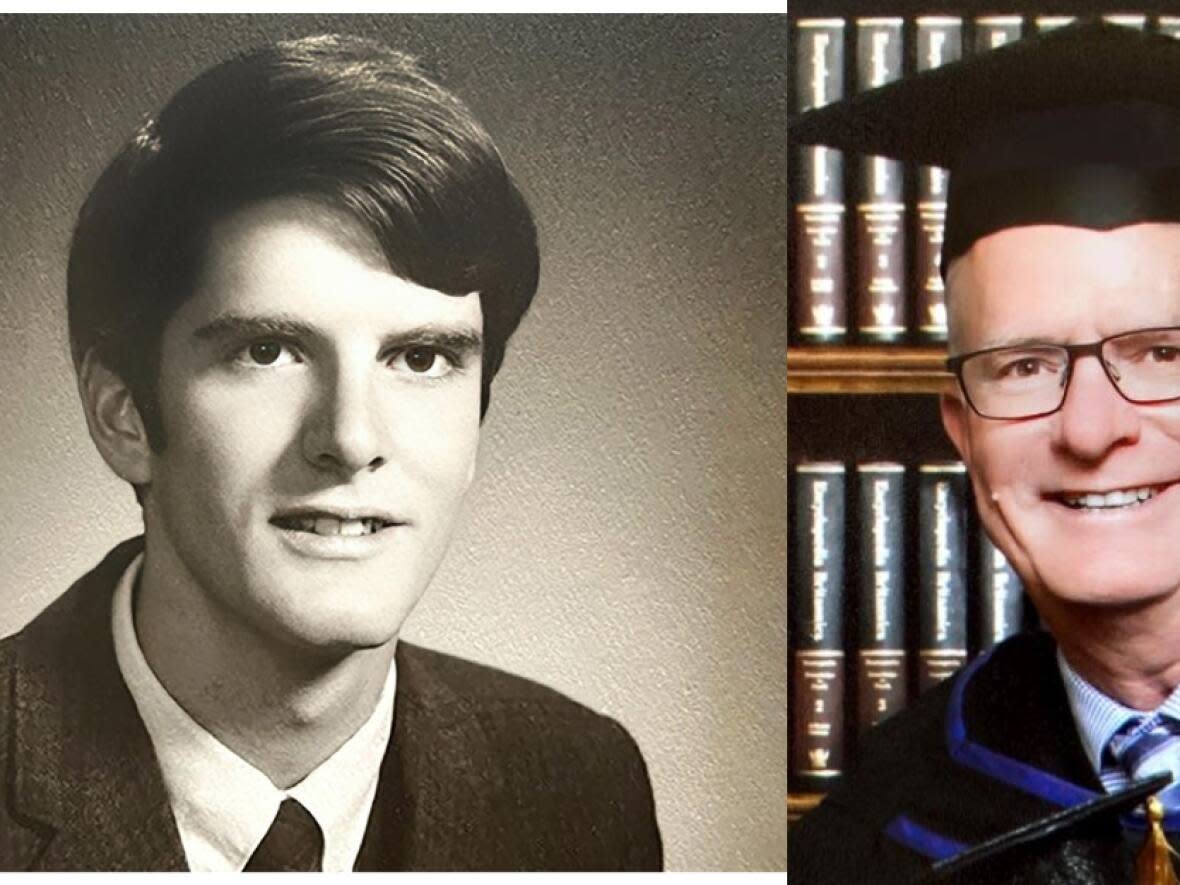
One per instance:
(339, 120)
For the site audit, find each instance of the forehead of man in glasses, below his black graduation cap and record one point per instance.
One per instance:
(1064, 284)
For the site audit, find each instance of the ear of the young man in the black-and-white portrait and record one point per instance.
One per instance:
(114, 422)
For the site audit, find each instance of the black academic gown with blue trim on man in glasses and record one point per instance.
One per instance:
(991, 756)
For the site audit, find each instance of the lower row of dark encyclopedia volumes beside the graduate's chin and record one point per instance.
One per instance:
(893, 587)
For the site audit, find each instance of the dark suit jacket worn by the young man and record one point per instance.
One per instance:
(486, 771)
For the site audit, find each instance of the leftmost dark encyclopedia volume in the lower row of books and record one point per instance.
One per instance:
(817, 743)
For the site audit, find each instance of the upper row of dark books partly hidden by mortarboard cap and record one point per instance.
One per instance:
(884, 268)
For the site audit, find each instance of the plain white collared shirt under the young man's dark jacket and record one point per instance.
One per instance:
(222, 804)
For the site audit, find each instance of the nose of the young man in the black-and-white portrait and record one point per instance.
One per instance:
(345, 432)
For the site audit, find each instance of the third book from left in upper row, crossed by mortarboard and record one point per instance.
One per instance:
(940, 43)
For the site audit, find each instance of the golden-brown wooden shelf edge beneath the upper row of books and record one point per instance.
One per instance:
(835, 369)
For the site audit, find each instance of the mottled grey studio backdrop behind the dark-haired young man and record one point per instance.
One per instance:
(625, 540)
